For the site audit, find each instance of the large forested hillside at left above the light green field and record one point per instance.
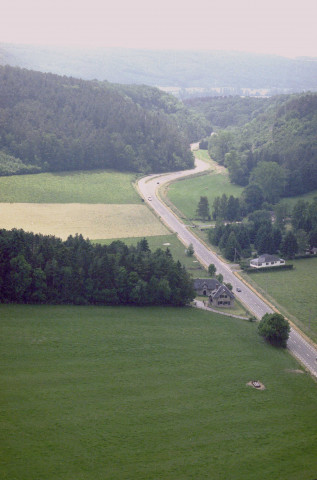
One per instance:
(53, 123)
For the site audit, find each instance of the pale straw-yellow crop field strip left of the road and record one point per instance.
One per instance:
(93, 221)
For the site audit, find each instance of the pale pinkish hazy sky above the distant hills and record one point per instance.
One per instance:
(283, 27)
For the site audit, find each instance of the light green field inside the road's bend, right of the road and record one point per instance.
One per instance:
(185, 194)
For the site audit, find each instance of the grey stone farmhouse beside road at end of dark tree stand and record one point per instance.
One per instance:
(218, 294)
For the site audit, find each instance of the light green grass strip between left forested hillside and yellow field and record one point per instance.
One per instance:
(104, 186)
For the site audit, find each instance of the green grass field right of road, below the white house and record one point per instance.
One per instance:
(293, 292)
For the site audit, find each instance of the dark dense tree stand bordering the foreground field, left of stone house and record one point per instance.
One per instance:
(44, 269)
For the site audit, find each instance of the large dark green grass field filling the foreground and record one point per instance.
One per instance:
(147, 394)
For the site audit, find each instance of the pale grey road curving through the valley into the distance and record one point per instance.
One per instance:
(148, 187)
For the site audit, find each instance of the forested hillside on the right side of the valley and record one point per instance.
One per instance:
(276, 148)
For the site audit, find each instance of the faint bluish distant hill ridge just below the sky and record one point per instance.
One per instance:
(184, 73)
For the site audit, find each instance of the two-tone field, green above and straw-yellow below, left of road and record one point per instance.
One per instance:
(102, 204)
